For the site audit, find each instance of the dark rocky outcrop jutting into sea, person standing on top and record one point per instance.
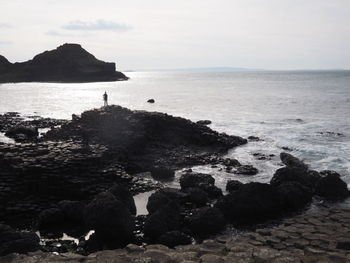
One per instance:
(144, 140)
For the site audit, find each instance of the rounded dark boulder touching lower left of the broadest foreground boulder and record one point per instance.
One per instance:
(206, 221)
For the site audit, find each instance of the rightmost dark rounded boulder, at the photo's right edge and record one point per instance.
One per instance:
(331, 187)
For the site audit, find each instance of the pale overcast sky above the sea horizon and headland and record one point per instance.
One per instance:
(162, 34)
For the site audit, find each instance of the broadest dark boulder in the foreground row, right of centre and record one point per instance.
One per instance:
(252, 203)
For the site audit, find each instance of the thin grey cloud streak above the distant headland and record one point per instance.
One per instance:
(98, 25)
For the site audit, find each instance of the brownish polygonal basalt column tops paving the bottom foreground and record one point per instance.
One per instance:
(316, 237)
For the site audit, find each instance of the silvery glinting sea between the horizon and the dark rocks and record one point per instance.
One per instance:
(305, 113)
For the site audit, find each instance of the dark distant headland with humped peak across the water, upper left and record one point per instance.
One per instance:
(67, 63)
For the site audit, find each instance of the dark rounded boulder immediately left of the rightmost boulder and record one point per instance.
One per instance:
(294, 196)
